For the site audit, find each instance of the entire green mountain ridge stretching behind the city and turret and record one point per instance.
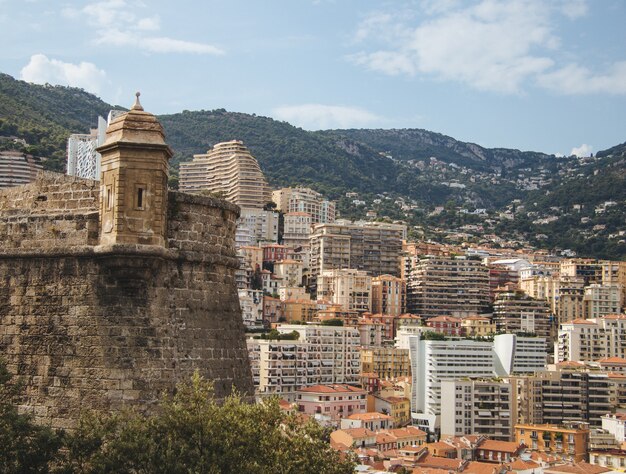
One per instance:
(399, 173)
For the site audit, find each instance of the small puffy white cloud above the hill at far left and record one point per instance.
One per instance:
(41, 70)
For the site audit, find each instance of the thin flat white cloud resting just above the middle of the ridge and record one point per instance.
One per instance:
(322, 117)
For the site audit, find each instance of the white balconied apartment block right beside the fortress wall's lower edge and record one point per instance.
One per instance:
(321, 355)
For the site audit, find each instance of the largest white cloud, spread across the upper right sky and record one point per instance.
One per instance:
(494, 45)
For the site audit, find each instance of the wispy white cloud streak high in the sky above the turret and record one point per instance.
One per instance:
(118, 23)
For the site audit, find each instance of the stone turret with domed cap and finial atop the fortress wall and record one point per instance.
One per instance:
(133, 184)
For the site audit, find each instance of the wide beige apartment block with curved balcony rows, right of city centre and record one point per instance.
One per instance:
(446, 286)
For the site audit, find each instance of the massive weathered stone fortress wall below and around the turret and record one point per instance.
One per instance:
(88, 322)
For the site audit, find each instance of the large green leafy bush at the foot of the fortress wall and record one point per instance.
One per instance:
(193, 432)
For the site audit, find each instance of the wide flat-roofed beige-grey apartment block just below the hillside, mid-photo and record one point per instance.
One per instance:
(373, 247)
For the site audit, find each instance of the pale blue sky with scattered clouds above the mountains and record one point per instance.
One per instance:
(540, 75)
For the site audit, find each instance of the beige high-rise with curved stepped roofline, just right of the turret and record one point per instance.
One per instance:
(230, 170)
